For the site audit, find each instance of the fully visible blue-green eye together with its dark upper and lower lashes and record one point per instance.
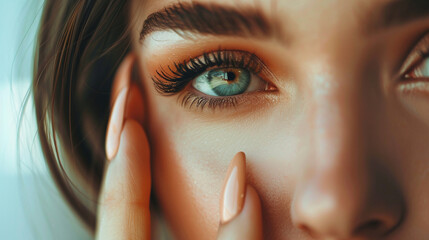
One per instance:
(233, 70)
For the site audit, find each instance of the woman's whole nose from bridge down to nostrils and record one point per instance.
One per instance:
(333, 195)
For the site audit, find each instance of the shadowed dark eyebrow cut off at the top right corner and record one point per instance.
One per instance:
(398, 12)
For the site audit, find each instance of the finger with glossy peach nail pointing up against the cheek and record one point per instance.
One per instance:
(241, 215)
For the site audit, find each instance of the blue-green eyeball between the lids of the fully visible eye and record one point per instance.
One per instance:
(228, 82)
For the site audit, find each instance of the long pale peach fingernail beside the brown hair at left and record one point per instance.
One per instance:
(116, 121)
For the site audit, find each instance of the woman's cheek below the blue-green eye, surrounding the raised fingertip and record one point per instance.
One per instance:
(190, 157)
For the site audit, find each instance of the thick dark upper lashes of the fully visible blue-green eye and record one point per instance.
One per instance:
(174, 80)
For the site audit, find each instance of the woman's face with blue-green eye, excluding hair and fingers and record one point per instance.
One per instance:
(328, 99)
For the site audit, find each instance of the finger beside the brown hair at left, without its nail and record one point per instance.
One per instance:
(124, 200)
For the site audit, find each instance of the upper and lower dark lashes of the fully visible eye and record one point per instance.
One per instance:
(174, 80)
